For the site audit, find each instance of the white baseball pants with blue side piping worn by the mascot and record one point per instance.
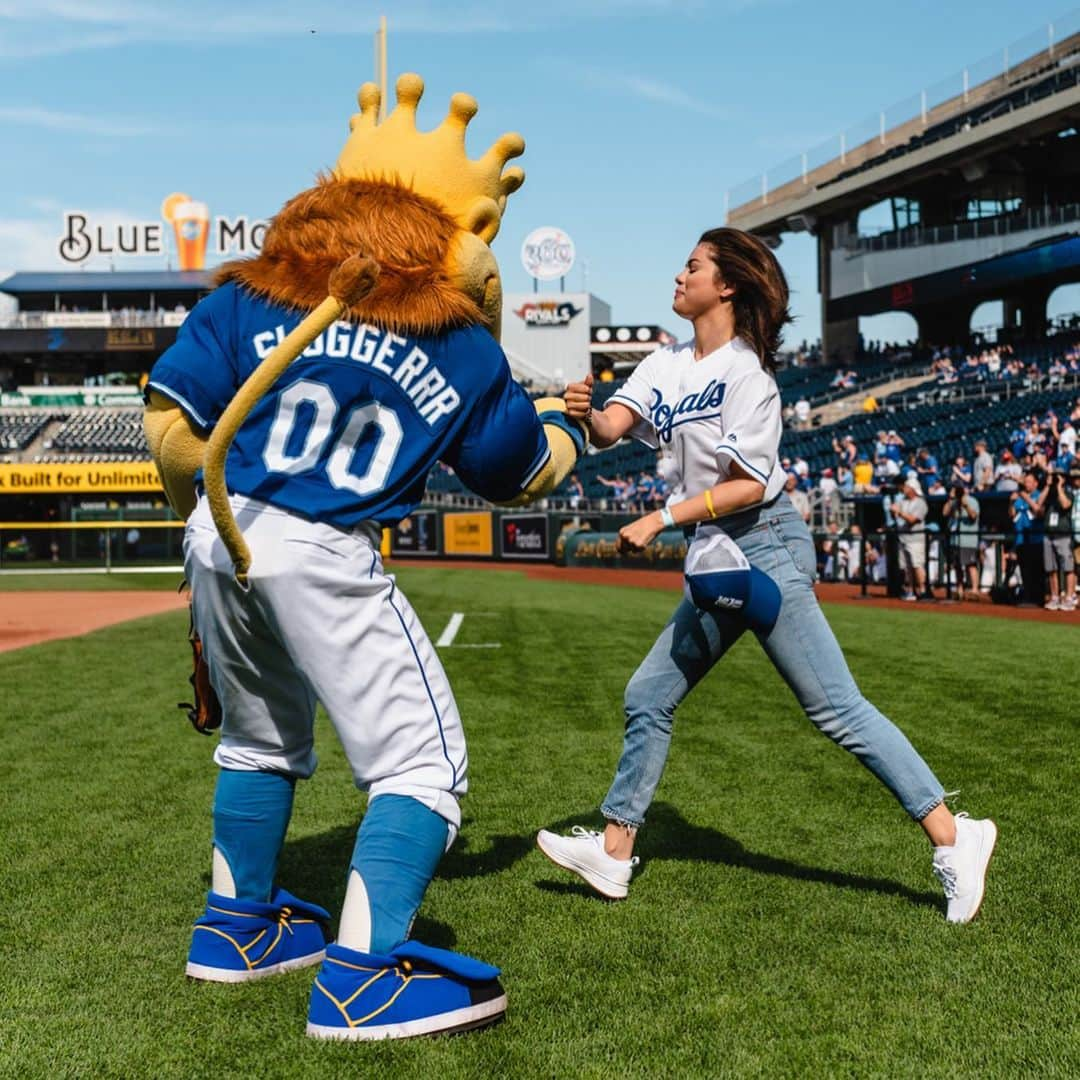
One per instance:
(320, 620)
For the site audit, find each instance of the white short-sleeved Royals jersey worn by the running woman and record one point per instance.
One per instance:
(707, 414)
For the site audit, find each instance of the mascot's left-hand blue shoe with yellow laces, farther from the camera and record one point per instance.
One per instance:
(237, 940)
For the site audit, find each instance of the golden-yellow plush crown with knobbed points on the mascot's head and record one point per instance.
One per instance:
(435, 165)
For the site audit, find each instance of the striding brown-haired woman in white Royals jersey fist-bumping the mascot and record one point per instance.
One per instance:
(713, 401)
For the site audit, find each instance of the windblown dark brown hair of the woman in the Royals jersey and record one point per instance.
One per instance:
(761, 290)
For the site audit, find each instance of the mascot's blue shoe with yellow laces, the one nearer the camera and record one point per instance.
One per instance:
(416, 990)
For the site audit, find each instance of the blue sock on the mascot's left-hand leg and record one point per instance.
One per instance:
(251, 816)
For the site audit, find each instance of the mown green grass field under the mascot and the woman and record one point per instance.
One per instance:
(786, 922)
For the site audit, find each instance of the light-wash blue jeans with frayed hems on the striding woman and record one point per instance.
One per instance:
(802, 649)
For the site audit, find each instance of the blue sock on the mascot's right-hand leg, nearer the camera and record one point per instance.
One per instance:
(398, 848)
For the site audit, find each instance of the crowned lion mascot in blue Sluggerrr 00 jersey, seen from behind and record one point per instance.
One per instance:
(298, 415)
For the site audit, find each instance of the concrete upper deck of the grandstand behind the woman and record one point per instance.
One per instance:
(980, 179)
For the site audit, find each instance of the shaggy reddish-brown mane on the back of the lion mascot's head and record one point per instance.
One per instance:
(409, 236)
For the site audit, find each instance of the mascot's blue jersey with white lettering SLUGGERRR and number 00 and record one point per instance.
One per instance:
(353, 428)
